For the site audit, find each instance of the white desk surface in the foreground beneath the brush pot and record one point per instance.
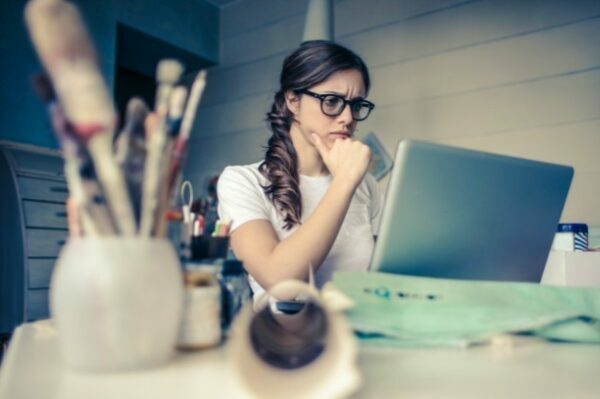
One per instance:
(531, 368)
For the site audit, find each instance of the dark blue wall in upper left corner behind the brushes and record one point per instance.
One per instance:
(185, 24)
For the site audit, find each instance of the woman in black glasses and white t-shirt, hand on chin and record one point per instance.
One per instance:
(309, 203)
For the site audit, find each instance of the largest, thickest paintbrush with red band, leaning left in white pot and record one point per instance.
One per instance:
(64, 47)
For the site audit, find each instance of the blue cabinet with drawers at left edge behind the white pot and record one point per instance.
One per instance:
(33, 228)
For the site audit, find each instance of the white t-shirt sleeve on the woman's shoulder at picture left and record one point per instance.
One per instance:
(240, 196)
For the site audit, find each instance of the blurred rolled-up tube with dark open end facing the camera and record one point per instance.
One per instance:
(304, 349)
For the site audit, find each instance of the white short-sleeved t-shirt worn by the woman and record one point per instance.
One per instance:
(242, 199)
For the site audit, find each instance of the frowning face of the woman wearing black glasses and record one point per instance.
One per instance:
(307, 109)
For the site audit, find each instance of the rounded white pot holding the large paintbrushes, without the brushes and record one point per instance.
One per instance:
(116, 302)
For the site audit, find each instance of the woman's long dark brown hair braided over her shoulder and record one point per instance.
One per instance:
(310, 64)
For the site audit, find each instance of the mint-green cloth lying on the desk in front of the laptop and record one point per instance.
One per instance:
(402, 310)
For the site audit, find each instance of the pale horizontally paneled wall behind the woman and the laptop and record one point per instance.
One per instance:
(517, 77)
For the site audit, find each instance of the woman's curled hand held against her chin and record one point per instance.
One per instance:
(347, 159)
